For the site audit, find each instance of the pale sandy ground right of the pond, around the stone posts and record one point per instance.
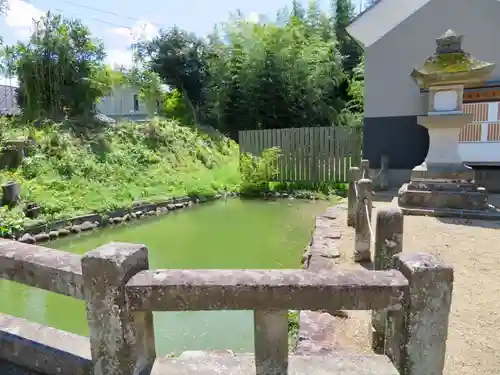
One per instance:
(473, 248)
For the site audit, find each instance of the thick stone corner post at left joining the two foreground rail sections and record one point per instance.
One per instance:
(121, 342)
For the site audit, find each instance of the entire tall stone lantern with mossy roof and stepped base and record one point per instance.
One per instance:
(443, 185)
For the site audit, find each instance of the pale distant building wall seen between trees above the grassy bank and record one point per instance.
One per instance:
(121, 103)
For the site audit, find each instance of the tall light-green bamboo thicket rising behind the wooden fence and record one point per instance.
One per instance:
(262, 76)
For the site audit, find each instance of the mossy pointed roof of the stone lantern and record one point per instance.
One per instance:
(451, 65)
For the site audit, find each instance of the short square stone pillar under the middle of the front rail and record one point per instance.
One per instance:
(271, 342)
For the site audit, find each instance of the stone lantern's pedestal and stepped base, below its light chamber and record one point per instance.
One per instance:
(443, 185)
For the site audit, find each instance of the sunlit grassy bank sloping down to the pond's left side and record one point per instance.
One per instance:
(68, 175)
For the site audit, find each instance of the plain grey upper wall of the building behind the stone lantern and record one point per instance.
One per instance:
(389, 89)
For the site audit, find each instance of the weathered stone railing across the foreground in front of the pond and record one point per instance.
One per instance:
(121, 293)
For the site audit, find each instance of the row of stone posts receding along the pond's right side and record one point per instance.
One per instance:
(427, 275)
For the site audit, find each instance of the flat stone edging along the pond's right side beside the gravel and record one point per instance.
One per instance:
(316, 328)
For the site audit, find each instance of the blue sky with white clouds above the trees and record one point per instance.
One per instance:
(118, 22)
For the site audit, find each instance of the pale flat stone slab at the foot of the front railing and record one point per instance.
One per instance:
(333, 364)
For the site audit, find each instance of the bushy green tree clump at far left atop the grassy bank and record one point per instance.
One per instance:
(60, 70)
